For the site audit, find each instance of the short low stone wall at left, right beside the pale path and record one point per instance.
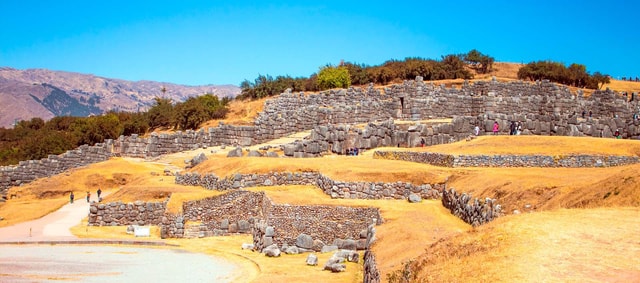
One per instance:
(119, 214)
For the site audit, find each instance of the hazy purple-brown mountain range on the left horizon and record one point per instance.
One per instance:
(26, 94)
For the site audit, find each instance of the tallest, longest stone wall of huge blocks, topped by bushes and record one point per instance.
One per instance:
(543, 107)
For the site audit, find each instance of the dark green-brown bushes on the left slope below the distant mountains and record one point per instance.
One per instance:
(36, 139)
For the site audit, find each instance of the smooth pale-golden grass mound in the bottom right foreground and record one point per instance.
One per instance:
(565, 245)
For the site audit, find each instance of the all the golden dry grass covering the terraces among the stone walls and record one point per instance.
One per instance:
(575, 225)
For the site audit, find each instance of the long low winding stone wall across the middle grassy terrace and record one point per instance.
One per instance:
(333, 188)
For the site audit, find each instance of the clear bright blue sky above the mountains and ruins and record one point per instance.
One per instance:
(225, 42)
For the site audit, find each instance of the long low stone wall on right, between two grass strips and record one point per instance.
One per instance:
(449, 160)
